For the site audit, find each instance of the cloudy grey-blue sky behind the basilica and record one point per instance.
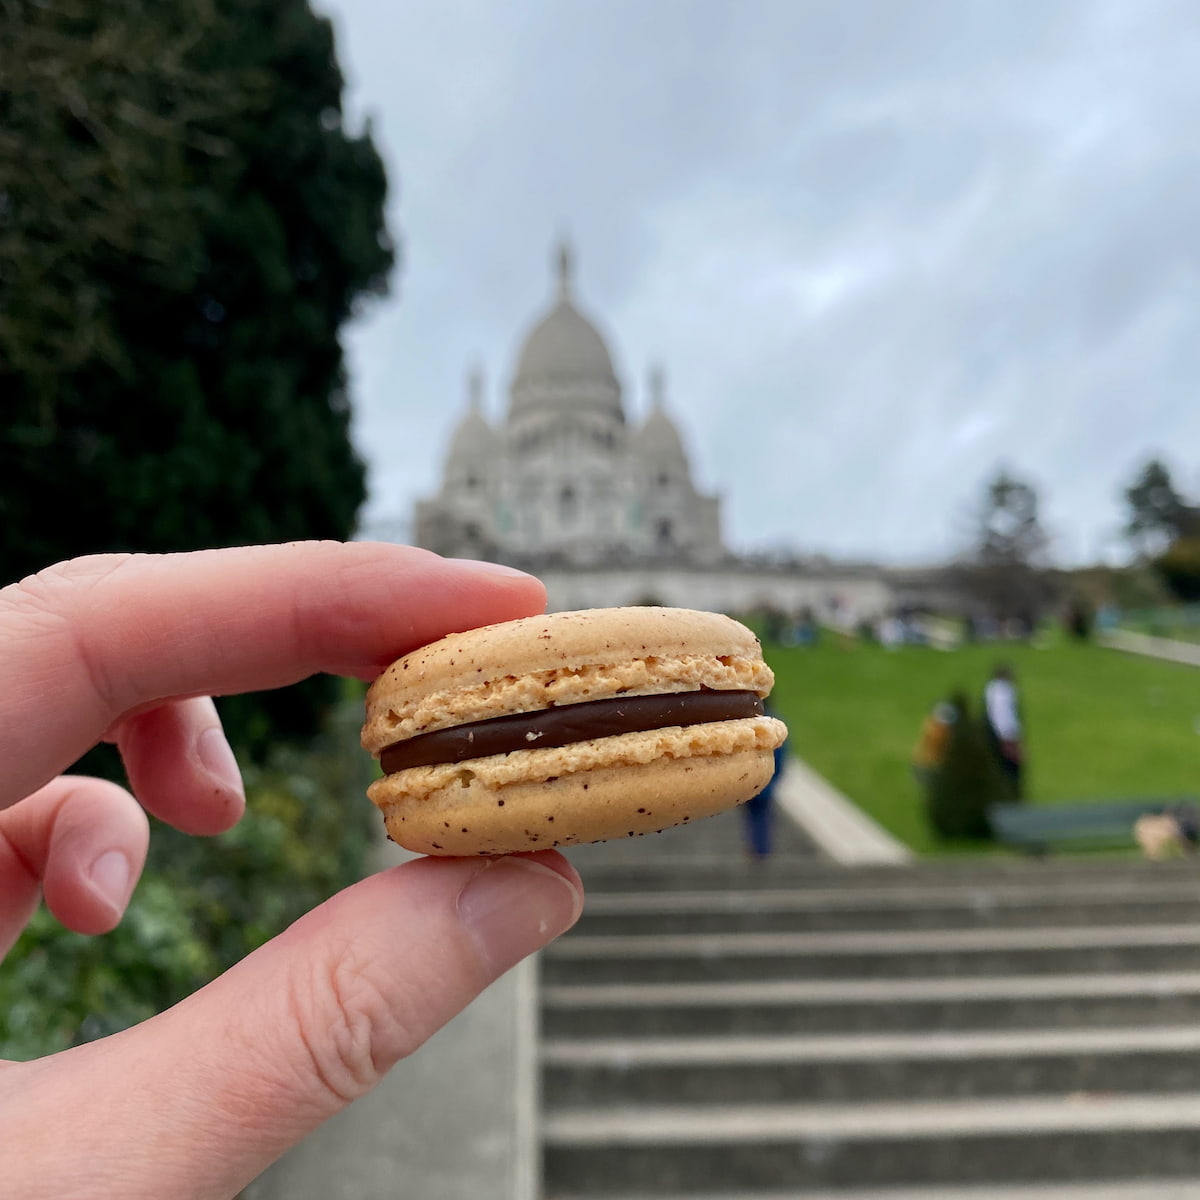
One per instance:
(881, 248)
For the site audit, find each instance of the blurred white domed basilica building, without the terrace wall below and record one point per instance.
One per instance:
(567, 478)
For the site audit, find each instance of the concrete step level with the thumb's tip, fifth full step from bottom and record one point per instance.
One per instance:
(928, 907)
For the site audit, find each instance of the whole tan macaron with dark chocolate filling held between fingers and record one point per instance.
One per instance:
(568, 729)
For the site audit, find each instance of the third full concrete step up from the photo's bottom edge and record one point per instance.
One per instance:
(821, 1006)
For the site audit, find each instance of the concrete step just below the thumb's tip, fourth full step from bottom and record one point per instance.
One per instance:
(872, 955)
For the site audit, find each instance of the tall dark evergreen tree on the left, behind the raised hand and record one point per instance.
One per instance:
(185, 227)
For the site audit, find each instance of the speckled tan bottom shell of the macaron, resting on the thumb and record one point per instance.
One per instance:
(621, 801)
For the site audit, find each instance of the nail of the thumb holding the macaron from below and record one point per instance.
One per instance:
(515, 907)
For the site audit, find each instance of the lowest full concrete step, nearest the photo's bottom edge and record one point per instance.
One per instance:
(683, 1150)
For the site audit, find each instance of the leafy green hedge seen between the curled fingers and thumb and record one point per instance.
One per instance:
(203, 903)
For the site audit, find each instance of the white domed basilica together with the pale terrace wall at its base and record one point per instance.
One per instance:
(604, 509)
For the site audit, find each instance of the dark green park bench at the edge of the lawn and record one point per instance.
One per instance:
(1037, 829)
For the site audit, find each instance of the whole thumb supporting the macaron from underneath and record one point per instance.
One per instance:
(200, 1101)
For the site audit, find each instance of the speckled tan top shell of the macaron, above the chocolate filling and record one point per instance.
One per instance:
(561, 659)
